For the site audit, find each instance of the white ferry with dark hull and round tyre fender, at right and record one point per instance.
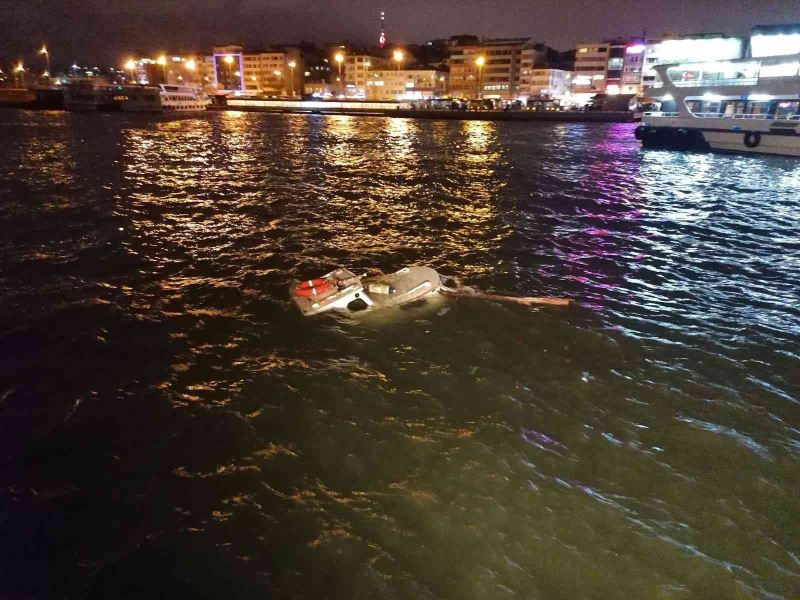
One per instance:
(744, 105)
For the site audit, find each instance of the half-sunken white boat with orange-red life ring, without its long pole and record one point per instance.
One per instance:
(344, 290)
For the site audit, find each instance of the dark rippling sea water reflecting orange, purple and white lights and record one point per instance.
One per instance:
(172, 427)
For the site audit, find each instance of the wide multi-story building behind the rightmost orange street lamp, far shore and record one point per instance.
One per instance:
(499, 74)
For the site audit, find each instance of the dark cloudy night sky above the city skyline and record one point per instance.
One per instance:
(107, 30)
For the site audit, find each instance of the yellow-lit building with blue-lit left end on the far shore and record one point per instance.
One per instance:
(274, 71)
